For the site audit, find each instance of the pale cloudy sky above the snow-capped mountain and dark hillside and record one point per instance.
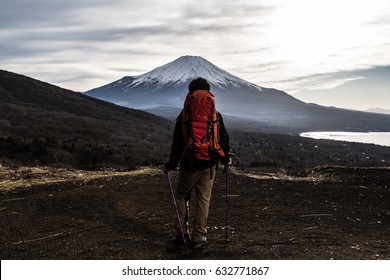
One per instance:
(318, 51)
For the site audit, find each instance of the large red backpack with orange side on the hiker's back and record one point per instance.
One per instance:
(200, 126)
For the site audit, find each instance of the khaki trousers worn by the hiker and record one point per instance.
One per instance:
(202, 181)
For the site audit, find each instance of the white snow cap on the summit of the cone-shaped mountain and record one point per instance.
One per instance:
(186, 68)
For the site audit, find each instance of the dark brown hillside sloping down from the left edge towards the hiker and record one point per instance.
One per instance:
(44, 124)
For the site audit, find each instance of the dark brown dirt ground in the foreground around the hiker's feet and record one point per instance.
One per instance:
(331, 213)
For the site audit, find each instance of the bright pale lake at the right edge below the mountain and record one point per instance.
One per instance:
(379, 138)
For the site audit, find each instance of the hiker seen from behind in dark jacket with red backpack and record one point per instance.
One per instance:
(200, 141)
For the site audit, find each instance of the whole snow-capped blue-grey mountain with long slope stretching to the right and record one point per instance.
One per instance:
(162, 91)
